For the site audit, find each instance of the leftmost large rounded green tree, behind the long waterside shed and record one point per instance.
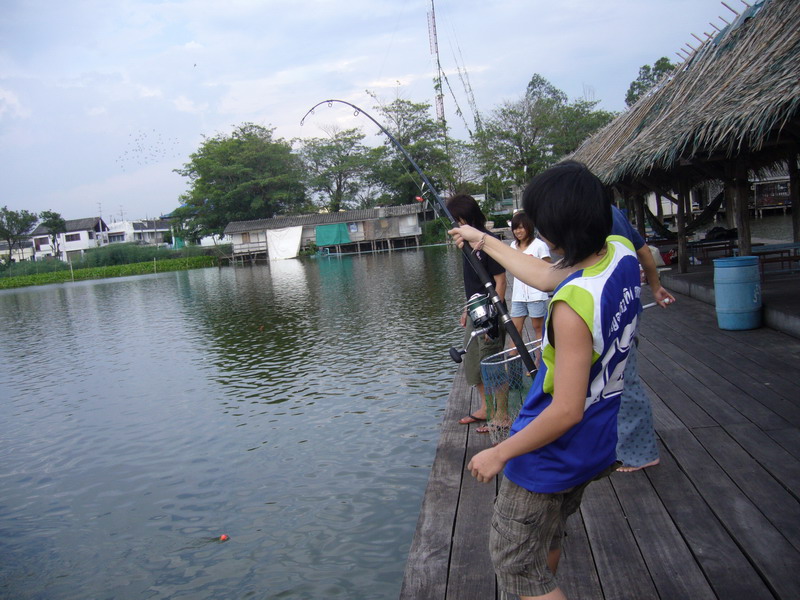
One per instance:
(244, 176)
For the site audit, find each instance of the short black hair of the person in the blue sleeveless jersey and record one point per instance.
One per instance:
(571, 208)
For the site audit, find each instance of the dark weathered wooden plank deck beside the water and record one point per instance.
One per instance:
(718, 518)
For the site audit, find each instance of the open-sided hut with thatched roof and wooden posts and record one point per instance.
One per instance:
(731, 109)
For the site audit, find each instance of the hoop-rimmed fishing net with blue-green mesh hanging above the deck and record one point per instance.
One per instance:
(506, 385)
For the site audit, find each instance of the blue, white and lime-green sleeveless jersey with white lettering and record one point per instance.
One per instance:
(606, 296)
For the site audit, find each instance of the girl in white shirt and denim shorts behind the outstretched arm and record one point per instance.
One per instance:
(527, 301)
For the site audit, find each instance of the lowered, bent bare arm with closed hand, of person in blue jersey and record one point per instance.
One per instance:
(571, 380)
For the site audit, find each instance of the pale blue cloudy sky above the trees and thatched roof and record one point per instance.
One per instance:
(100, 102)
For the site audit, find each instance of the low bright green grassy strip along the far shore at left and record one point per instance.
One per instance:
(140, 268)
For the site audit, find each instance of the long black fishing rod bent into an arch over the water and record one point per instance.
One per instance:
(483, 275)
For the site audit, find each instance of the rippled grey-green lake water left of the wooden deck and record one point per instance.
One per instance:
(294, 407)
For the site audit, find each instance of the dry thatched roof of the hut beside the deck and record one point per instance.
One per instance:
(739, 92)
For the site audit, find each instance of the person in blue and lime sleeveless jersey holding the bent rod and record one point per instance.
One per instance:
(566, 433)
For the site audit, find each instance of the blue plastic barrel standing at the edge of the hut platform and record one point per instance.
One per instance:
(737, 289)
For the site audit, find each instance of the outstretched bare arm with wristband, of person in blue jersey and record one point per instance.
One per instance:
(532, 271)
